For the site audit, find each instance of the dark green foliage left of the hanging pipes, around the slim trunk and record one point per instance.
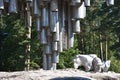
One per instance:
(12, 48)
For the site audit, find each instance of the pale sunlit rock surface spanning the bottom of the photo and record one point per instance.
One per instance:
(64, 74)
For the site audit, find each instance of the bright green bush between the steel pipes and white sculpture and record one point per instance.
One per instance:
(66, 58)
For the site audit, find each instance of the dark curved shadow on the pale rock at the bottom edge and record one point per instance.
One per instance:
(70, 78)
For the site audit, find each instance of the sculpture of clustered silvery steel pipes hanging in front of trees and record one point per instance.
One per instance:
(56, 22)
